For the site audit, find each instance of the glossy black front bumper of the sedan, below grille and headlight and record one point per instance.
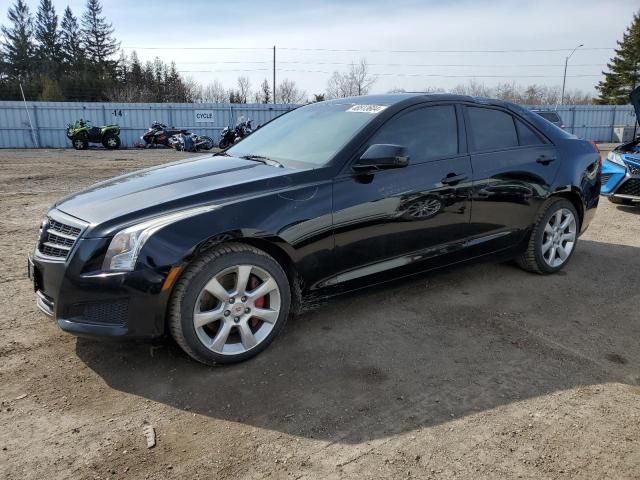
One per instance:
(89, 302)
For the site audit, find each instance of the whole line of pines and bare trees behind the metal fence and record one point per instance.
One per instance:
(76, 58)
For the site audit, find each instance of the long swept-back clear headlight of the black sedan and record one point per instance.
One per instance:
(126, 245)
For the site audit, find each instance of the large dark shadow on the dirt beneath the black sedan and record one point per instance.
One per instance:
(417, 353)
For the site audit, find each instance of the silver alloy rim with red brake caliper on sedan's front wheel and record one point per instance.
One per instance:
(237, 309)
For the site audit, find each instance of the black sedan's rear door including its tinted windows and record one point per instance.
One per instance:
(513, 168)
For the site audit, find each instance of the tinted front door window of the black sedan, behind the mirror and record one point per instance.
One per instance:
(428, 133)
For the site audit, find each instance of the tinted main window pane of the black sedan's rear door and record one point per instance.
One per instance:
(492, 129)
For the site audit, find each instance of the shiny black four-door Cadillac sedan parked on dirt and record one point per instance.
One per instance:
(219, 250)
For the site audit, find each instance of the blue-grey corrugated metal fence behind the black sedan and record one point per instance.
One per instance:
(49, 119)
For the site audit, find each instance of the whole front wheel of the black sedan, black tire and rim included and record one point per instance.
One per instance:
(229, 304)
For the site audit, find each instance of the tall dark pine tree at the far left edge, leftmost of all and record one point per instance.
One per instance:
(18, 47)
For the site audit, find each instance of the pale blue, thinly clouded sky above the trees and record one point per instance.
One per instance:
(409, 44)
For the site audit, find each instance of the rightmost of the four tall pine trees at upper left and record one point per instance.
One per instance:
(97, 37)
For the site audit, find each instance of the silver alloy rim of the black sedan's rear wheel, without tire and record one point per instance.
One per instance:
(559, 237)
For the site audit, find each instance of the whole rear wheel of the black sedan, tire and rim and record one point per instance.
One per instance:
(553, 239)
